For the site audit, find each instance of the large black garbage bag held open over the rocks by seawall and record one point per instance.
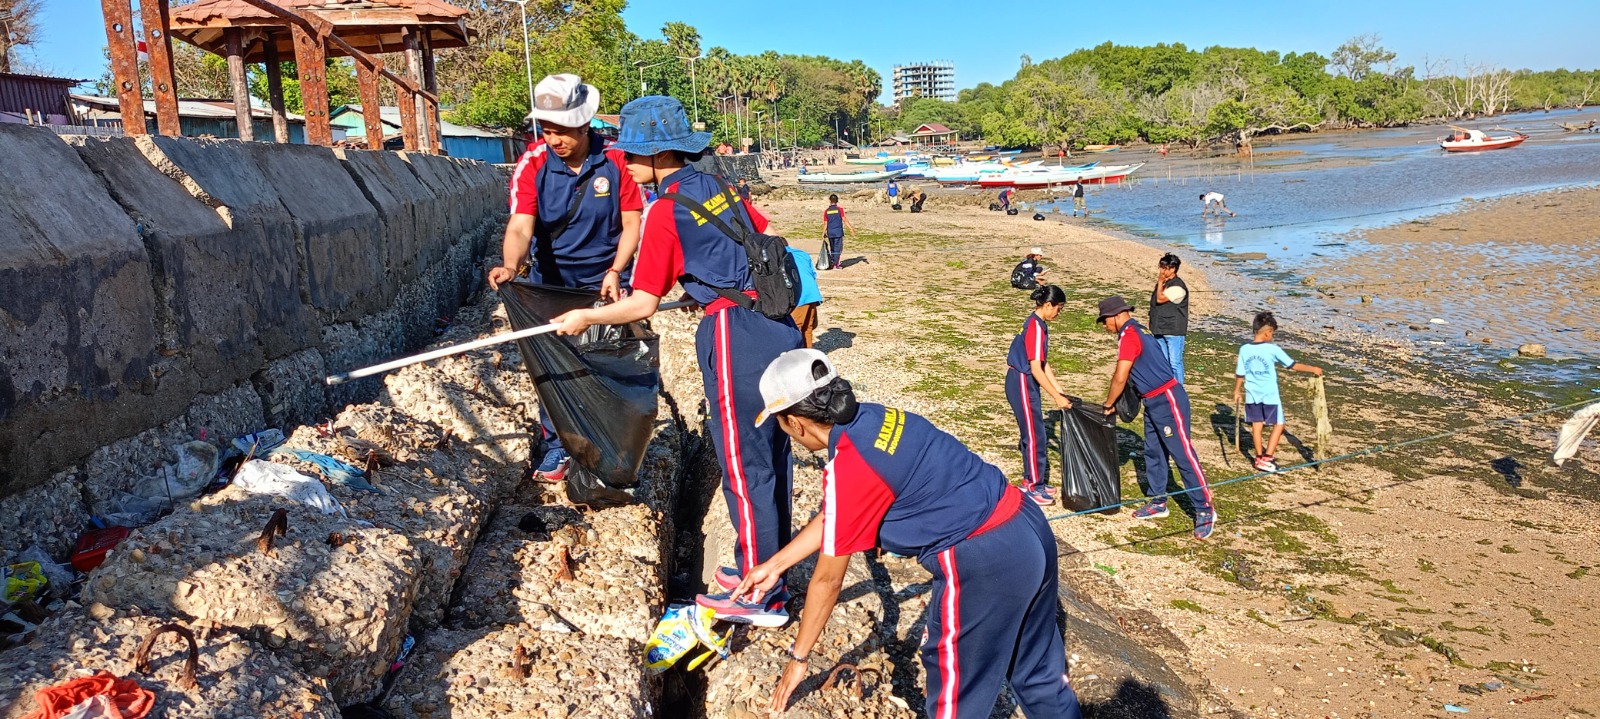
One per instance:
(599, 390)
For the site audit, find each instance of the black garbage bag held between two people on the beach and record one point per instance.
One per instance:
(1089, 459)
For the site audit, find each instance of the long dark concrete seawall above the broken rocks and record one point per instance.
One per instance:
(159, 289)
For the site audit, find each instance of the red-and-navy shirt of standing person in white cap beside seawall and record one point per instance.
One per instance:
(545, 187)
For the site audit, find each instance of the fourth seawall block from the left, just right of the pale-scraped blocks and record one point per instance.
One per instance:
(338, 228)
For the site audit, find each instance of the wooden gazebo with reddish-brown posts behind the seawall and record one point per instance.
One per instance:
(308, 31)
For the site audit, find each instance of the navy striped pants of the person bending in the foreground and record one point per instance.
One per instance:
(993, 619)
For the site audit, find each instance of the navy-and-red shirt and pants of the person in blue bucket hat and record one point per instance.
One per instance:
(734, 347)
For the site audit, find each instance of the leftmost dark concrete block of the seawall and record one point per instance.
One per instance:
(79, 359)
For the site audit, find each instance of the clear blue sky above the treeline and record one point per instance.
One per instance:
(1537, 34)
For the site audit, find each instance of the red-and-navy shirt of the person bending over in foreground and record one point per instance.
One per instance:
(897, 481)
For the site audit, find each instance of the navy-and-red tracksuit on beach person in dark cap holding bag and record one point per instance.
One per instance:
(1167, 432)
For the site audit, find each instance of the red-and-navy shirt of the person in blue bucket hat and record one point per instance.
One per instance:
(678, 244)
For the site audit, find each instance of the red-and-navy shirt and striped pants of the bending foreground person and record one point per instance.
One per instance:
(895, 481)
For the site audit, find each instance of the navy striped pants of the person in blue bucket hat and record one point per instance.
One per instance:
(734, 348)
